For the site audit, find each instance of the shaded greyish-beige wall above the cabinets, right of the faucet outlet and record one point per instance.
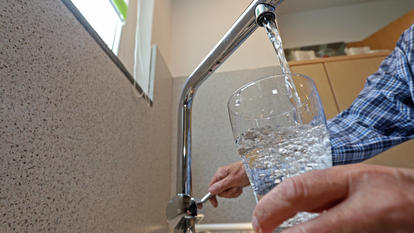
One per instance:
(347, 23)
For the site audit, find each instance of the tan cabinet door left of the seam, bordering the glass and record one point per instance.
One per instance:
(318, 74)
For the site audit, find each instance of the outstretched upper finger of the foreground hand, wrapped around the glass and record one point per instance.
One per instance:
(311, 191)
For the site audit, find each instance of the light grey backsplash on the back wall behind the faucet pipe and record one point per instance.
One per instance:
(213, 144)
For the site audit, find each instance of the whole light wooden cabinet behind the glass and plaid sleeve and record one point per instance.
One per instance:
(339, 81)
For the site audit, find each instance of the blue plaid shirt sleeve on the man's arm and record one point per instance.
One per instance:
(383, 114)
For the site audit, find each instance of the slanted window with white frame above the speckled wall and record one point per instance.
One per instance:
(129, 39)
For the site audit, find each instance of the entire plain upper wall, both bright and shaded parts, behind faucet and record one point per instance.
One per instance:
(198, 25)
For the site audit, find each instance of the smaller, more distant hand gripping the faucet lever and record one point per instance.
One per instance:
(228, 182)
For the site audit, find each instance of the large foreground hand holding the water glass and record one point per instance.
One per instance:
(354, 198)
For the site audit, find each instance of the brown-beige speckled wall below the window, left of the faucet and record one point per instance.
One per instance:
(80, 151)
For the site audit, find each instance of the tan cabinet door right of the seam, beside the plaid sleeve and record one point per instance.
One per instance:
(348, 78)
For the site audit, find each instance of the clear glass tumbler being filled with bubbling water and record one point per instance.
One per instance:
(279, 127)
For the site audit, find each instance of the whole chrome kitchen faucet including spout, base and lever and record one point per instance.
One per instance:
(182, 209)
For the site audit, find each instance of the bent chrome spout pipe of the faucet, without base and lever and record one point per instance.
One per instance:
(245, 25)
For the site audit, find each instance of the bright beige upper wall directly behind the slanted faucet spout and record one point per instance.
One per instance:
(199, 25)
